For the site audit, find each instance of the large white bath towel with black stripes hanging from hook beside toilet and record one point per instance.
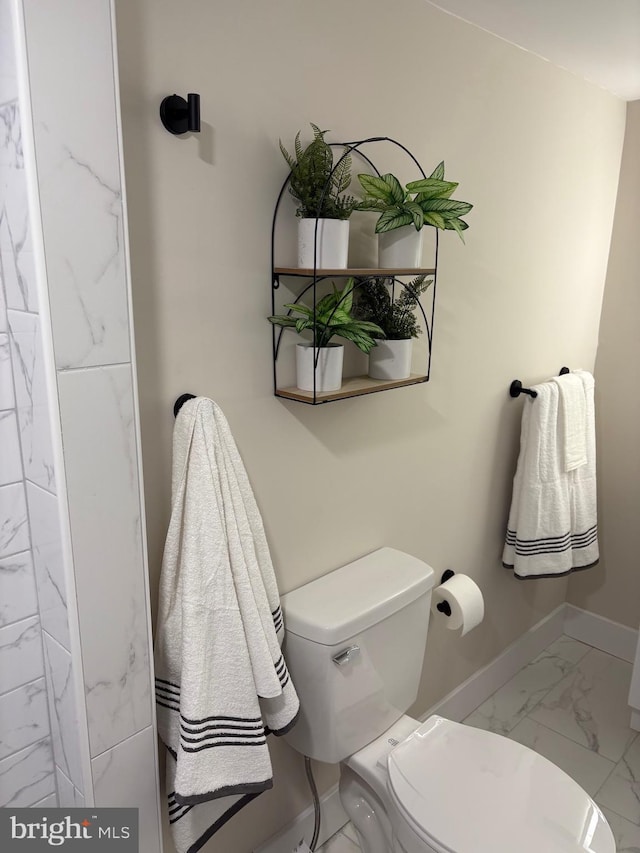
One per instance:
(221, 680)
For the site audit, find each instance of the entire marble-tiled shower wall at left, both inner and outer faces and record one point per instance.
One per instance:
(74, 621)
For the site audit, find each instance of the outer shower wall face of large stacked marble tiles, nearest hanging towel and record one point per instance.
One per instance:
(73, 100)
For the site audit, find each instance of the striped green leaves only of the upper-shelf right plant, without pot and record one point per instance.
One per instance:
(420, 203)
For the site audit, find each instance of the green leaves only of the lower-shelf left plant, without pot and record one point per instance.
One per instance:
(331, 318)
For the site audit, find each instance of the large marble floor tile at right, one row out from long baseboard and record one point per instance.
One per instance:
(589, 705)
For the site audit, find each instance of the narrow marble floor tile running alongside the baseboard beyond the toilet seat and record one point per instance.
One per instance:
(512, 702)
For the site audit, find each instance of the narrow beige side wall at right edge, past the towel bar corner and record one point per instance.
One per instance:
(614, 591)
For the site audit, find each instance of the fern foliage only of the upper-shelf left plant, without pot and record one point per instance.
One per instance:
(315, 183)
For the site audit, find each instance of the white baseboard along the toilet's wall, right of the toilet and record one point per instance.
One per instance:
(478, 687)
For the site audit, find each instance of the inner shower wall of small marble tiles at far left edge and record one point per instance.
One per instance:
(27, 769)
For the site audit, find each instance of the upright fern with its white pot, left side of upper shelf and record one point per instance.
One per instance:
(324, 210)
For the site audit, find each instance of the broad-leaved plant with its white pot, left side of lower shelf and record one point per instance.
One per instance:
(330, 318)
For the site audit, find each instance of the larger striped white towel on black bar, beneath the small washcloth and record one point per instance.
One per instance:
(552, 527)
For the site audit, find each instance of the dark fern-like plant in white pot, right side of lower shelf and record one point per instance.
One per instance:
(391, 358)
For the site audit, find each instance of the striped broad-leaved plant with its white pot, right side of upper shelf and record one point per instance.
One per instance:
(404, 212)
